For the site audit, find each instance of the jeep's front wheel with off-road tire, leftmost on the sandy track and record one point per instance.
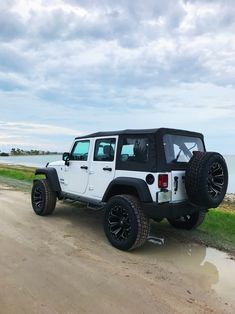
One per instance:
(43, 198)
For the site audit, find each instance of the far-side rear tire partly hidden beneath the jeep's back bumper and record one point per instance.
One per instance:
(190, 221)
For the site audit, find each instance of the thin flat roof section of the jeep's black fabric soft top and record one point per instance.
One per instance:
(159, 131)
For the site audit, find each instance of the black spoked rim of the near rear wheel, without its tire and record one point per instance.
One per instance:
(119, 223)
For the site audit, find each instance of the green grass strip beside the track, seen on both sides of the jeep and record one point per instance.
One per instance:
(218, 229)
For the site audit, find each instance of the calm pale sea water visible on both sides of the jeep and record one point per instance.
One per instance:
(41, 161)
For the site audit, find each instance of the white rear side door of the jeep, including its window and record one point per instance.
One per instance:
(102, 169)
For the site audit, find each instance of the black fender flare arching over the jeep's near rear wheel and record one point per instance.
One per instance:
(139, 184)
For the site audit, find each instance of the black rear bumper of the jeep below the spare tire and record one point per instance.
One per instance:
(170, 210)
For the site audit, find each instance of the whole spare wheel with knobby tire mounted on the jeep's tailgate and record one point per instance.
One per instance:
(206, 179)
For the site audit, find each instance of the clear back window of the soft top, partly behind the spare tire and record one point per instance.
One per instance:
(180, 148)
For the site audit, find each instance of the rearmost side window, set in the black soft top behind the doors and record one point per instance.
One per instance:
(135, 149)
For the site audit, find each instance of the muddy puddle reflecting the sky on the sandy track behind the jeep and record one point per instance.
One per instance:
(210, 268)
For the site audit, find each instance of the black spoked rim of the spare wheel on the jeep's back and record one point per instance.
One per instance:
(215, 180)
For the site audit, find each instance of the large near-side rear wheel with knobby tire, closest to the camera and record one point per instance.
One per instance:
(126, 208)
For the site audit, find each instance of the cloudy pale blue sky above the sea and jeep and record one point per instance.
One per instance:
(69, 68)
